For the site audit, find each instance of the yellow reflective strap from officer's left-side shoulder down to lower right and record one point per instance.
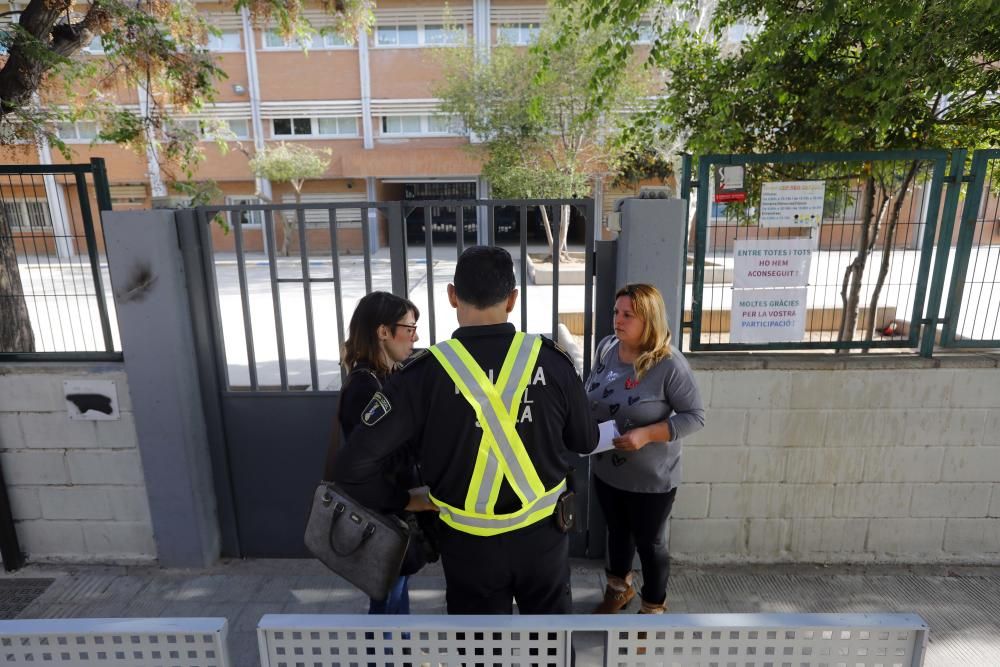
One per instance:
(499, 418)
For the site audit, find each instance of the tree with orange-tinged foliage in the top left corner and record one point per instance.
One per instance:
(153, 45)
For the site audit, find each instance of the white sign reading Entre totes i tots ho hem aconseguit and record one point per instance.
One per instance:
(771, 262)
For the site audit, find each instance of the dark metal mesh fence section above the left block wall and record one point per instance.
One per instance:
(52, 283)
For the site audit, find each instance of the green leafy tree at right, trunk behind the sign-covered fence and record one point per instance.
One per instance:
(825, 75)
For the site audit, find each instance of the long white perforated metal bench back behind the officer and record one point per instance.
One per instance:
(671, 640)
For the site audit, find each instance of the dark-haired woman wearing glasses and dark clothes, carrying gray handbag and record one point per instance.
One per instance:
(381, 335)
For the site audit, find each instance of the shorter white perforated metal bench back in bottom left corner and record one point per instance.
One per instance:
(115, 642)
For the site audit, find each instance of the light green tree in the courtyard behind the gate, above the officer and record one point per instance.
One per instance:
(529, 113)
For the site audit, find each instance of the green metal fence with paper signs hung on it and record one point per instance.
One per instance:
(841, 251)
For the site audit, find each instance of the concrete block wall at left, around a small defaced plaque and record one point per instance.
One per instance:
(76, 487)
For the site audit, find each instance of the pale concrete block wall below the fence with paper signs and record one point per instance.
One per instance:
(816, 458)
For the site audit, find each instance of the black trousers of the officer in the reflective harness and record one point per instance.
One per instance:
(485, 575)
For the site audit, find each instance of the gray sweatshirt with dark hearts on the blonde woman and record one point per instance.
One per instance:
(667, 392)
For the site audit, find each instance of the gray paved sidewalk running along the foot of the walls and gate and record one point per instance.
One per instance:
(961, 604)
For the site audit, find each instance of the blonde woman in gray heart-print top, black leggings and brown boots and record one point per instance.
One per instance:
(646, 386)
